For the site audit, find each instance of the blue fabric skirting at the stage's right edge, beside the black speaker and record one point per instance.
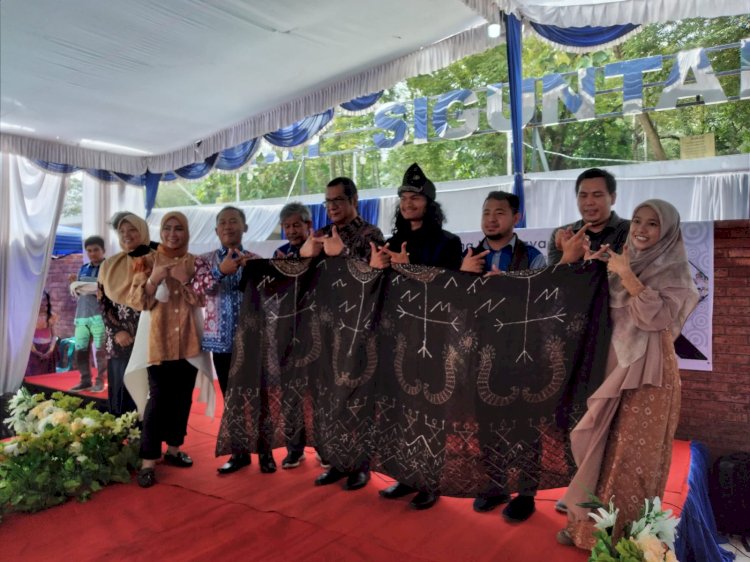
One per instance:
(697, 539)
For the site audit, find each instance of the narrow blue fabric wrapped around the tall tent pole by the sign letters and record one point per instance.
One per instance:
(513, 48)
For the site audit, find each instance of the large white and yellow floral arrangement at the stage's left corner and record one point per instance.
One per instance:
(62, 450)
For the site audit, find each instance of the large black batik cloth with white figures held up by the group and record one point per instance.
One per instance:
(444, 380)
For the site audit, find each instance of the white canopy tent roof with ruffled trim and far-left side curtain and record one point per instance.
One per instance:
(140, 85)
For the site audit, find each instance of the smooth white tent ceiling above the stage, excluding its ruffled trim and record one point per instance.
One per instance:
(145, 78)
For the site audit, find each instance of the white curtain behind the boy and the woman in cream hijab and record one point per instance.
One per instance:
(100, 201)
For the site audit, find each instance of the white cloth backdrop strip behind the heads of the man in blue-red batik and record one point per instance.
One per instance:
(262, 220)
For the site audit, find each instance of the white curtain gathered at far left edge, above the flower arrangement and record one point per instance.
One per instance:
(30, 205)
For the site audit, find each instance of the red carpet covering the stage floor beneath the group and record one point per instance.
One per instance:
(194, 514)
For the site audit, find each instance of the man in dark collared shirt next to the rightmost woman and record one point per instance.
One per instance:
(596, 192)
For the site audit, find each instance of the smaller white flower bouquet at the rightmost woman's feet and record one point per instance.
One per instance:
(649, 539)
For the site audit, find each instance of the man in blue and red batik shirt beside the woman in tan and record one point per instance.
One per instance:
(217, 275)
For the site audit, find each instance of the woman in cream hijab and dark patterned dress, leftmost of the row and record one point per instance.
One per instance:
(120, 320)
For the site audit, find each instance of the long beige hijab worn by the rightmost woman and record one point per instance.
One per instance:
(663, 265)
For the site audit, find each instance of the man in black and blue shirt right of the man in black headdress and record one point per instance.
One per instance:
(502, 250)
